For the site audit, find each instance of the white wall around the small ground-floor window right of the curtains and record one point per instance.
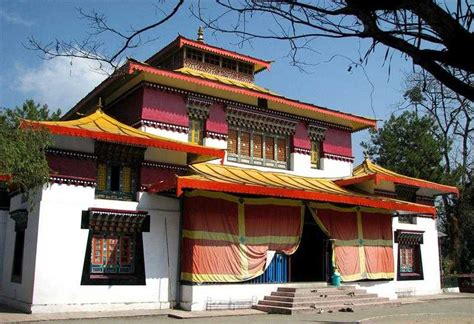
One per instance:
(431, 283)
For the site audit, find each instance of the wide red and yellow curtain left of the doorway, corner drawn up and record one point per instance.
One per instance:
(226, 238)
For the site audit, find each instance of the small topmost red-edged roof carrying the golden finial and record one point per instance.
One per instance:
(180, 41)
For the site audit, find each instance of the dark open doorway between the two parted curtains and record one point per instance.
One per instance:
(311, 262)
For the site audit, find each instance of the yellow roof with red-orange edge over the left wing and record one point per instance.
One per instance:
(100, 126)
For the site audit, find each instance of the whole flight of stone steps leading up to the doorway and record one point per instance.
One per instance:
(329, 299)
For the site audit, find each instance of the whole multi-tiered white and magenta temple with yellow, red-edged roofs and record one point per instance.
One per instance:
(193, 184)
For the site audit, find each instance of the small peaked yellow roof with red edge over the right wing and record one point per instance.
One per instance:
(369, 171)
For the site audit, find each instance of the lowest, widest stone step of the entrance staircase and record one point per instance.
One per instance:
(319, 309)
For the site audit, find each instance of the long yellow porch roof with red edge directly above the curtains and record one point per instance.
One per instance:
(224, 178)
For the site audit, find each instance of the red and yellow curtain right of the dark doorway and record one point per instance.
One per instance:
(361, 239)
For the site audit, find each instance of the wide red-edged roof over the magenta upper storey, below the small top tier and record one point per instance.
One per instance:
(134, 73)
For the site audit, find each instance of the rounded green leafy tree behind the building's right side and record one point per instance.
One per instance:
(407, 144)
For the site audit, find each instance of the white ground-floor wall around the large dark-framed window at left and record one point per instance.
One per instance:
(62, 245)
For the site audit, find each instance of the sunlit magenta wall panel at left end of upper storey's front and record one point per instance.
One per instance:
(164, 107)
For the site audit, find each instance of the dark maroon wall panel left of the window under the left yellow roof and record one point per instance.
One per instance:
(65, 166)
